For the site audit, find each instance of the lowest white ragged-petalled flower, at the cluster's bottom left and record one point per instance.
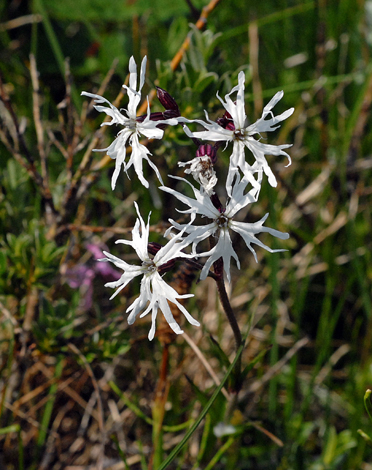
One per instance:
(153, 288)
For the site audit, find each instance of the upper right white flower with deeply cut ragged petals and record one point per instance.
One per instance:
(242, 134)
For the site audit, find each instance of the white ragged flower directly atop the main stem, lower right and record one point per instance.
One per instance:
(222, 222)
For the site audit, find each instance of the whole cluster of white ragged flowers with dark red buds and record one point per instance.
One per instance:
(243, 184)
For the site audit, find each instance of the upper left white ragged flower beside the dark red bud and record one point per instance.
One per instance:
(133, 129)
